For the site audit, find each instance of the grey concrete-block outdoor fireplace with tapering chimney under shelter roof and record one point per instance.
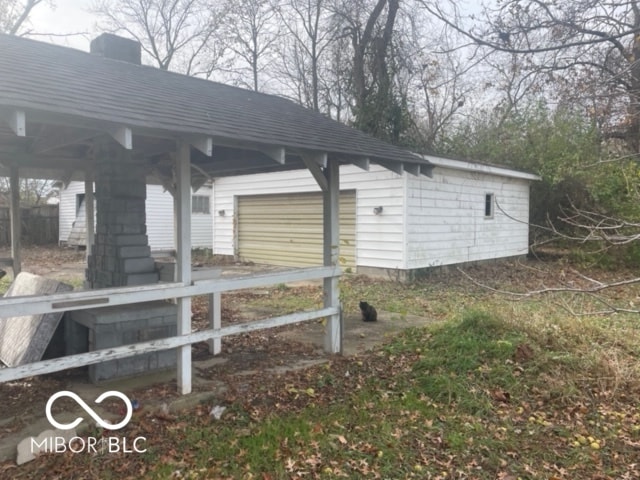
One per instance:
(120, 256)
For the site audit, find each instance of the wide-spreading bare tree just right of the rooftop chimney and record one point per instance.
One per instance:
(175, 34)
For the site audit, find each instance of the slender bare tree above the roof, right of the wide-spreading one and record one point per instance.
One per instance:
(251, 32)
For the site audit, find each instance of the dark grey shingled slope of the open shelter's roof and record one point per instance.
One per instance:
(41, 76)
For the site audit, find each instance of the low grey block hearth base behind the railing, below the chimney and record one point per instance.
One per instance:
(100, 328)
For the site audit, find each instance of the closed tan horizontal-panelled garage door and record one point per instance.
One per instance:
(286, 229)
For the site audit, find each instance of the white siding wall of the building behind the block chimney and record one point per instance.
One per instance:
(159, 213)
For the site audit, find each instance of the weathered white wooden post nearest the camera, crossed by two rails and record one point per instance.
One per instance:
(182, 205)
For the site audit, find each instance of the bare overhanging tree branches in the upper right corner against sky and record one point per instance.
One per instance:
(591, 48)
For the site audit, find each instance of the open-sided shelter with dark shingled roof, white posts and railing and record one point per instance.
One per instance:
(103, 118)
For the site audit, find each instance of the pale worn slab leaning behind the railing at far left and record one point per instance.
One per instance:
(25, 339)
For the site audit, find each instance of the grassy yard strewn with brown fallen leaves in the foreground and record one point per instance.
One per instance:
(495, 389)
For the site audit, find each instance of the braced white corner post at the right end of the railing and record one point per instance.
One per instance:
(331, 232)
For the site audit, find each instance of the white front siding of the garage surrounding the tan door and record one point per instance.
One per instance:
(378, 237)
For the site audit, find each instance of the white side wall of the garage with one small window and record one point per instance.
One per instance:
(446, 221)
